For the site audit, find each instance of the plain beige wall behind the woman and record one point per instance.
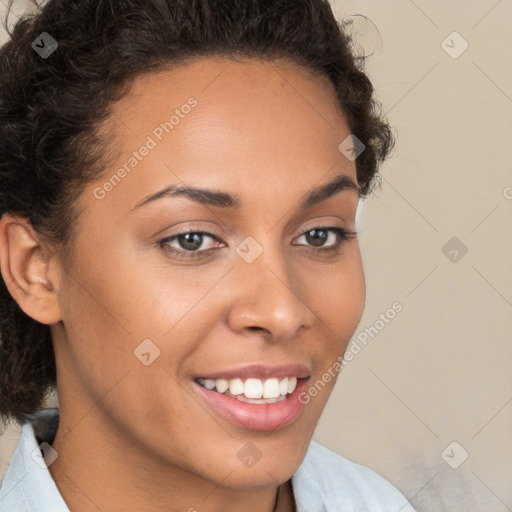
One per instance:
(441, 370)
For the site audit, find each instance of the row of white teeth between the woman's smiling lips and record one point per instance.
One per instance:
(253, 389)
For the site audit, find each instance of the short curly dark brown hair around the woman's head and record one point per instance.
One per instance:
(51, 108)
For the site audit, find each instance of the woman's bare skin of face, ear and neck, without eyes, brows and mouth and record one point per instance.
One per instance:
(135, 437)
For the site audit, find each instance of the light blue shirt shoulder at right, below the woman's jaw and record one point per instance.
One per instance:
(326, 479)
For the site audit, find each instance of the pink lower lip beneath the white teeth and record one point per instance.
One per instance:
(256, 416)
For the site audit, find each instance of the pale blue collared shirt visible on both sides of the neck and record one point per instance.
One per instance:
(324, 482)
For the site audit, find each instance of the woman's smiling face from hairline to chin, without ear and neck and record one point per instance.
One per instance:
(264, 287)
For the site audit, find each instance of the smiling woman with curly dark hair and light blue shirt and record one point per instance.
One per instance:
(179, 187)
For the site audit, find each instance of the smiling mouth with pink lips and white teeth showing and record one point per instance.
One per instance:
(256, 397)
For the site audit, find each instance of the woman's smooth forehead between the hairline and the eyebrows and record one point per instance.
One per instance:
(240, 124)
